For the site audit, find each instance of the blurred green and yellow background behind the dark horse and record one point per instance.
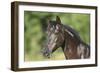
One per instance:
(35, 24)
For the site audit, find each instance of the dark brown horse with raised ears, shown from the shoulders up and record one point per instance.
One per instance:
(64, 36)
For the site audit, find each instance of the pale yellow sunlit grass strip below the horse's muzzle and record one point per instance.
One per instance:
(39, 57)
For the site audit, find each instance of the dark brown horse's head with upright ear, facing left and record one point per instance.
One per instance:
(55, 37)
